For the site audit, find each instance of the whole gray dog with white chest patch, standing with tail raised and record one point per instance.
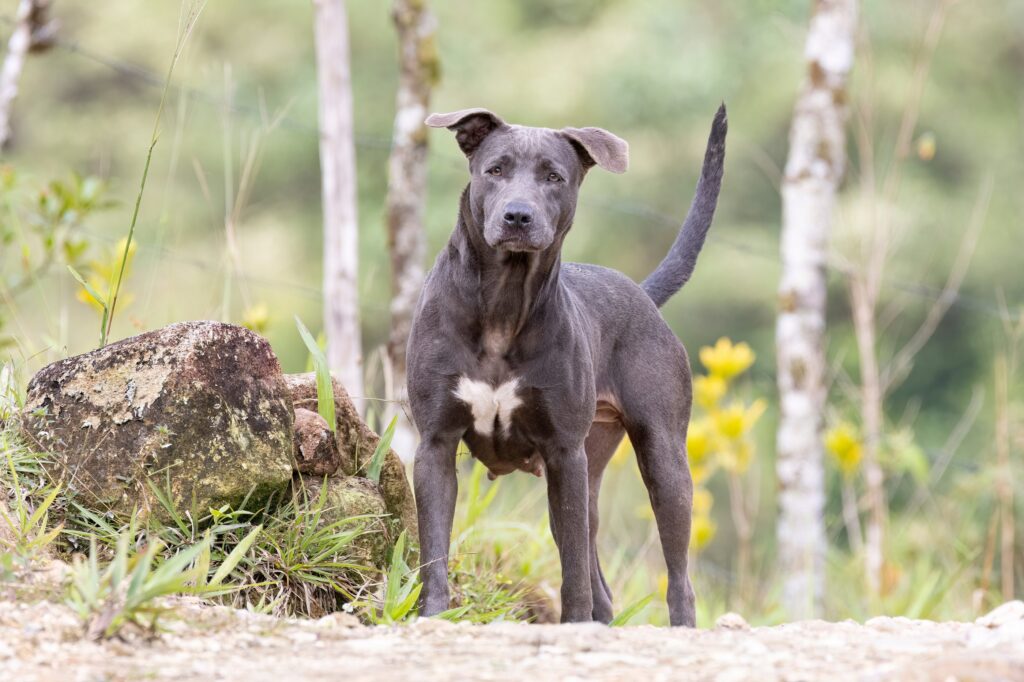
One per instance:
(541, 366)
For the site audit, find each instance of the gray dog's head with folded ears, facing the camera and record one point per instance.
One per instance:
(525, 182)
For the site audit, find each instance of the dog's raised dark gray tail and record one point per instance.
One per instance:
(677, 268)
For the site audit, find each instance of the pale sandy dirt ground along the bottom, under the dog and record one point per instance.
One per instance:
(44, 642)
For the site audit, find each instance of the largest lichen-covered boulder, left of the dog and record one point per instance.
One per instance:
(199, 408)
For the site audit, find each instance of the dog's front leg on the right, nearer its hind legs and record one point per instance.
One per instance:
(568, 493)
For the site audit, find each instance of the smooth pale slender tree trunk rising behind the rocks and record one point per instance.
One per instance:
(342, 305)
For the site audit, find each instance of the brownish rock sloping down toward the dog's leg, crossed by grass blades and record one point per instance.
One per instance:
(357, 444)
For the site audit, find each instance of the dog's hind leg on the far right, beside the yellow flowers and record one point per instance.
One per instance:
(662, 457)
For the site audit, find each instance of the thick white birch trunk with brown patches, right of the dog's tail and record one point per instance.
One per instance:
(814, 173)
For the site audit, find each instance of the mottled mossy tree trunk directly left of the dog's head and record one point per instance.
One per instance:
(407, 194)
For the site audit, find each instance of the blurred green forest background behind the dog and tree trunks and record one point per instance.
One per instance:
(239, 147)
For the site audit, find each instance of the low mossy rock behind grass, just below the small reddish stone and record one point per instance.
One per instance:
(356, 497)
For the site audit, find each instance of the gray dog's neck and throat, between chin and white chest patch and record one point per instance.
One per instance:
(508, 288)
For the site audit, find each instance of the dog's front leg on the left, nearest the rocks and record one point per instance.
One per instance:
(437, 489)
